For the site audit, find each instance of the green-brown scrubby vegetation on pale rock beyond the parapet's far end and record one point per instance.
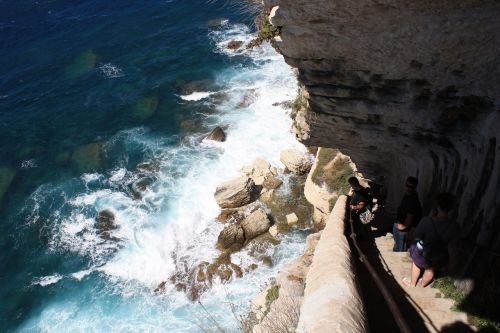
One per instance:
(332, 171)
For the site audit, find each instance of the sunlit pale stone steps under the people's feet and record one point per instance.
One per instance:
(429, 303)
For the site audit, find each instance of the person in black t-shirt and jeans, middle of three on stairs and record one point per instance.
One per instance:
(408, 215)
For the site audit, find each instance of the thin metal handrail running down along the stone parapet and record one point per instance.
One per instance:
(398, 316)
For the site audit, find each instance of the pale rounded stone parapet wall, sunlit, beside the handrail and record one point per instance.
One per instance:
(332, 302)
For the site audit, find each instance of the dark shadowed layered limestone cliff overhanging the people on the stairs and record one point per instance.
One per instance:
(404, 88)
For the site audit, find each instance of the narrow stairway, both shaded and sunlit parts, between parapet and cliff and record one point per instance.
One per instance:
(424, 309)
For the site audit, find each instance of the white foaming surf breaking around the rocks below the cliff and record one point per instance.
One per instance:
(173, 223)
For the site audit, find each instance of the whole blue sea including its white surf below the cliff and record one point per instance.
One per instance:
(89, 90)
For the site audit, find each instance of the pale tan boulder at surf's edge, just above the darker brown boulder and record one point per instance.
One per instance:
(235, 193)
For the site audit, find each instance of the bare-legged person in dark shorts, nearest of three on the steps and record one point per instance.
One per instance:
(429, 252)
